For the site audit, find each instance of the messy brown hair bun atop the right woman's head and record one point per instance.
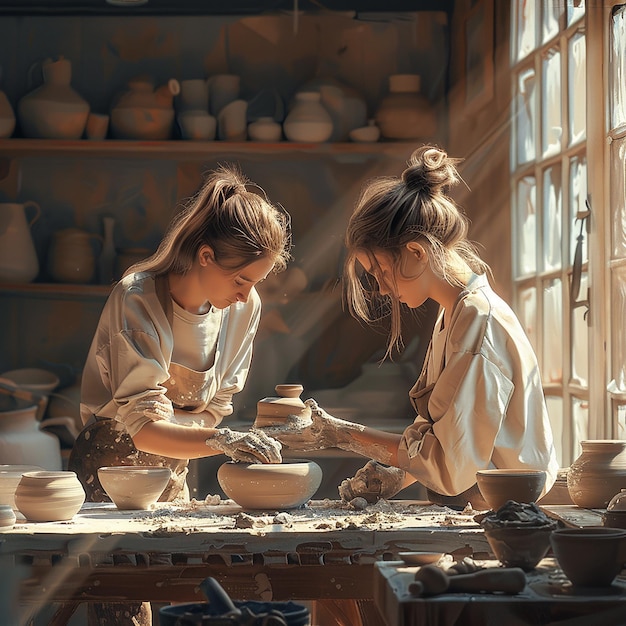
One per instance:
(430, 170)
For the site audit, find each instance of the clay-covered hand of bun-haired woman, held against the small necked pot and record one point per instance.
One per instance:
(317, 432)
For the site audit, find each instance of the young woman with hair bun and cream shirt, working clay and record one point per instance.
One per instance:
(479, 401)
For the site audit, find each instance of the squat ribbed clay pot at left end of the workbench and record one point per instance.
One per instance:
(49, 496)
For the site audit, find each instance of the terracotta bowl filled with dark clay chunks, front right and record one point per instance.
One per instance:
(518, 546)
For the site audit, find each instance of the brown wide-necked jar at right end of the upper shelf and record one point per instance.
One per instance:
(405, 113)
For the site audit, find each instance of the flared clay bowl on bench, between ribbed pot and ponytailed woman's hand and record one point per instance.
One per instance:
(134, 486)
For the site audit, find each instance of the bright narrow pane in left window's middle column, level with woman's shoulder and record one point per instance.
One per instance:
(552, 367)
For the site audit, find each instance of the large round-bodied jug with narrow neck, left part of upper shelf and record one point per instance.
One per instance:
(54, 110)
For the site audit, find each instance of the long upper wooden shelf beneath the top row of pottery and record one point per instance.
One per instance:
(113, 148)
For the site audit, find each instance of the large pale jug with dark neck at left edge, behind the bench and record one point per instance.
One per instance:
(22, 441)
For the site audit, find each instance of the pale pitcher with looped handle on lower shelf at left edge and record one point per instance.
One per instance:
(18, 259)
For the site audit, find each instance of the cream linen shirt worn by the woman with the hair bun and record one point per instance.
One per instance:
(487, 407)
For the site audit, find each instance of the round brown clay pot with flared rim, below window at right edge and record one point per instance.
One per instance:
(598, 473)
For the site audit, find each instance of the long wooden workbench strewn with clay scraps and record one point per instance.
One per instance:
(324, 551)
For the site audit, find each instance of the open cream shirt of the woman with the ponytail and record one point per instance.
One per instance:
(131, 352)
